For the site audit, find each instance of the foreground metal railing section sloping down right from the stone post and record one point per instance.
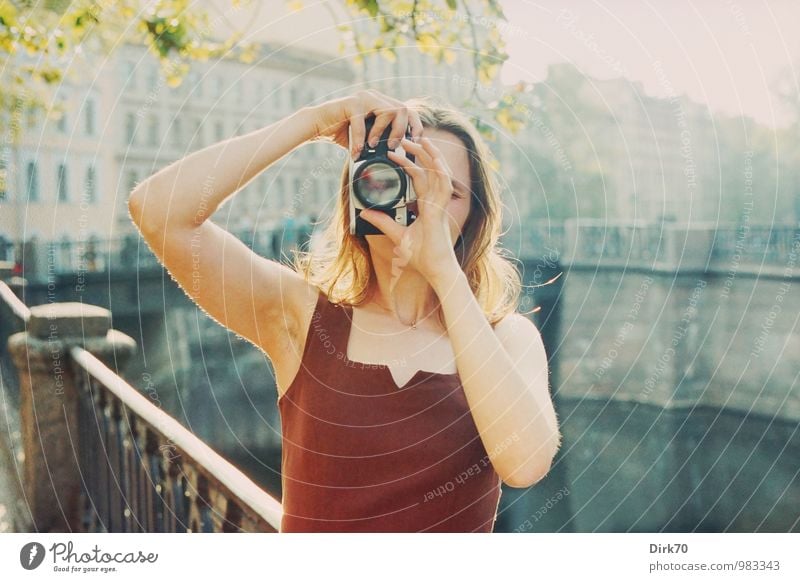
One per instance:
(145, 472)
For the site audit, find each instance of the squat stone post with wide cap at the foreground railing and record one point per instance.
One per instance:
(49, 403)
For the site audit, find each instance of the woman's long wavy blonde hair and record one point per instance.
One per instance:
(341, 264)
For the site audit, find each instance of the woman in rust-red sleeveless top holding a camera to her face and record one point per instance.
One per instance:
(409, 388)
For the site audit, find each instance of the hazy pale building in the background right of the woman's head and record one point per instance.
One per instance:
(604, 149)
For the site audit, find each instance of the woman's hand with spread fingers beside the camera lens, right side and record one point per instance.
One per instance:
(427, 244)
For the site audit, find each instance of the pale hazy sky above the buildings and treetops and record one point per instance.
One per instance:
(729, 54)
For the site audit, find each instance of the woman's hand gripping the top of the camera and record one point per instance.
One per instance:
(333, 118)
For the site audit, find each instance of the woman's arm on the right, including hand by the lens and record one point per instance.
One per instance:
(503, 370)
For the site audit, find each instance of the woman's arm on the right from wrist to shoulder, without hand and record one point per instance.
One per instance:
(505, 377)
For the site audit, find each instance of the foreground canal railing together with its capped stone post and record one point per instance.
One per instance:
(133, 466)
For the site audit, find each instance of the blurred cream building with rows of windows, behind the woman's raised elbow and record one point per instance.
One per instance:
(69, 178)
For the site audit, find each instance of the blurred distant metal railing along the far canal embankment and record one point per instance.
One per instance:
(584, 240)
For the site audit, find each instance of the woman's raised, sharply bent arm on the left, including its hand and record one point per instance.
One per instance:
(259, 299)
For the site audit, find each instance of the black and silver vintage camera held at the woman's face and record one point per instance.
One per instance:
(378, 183)
